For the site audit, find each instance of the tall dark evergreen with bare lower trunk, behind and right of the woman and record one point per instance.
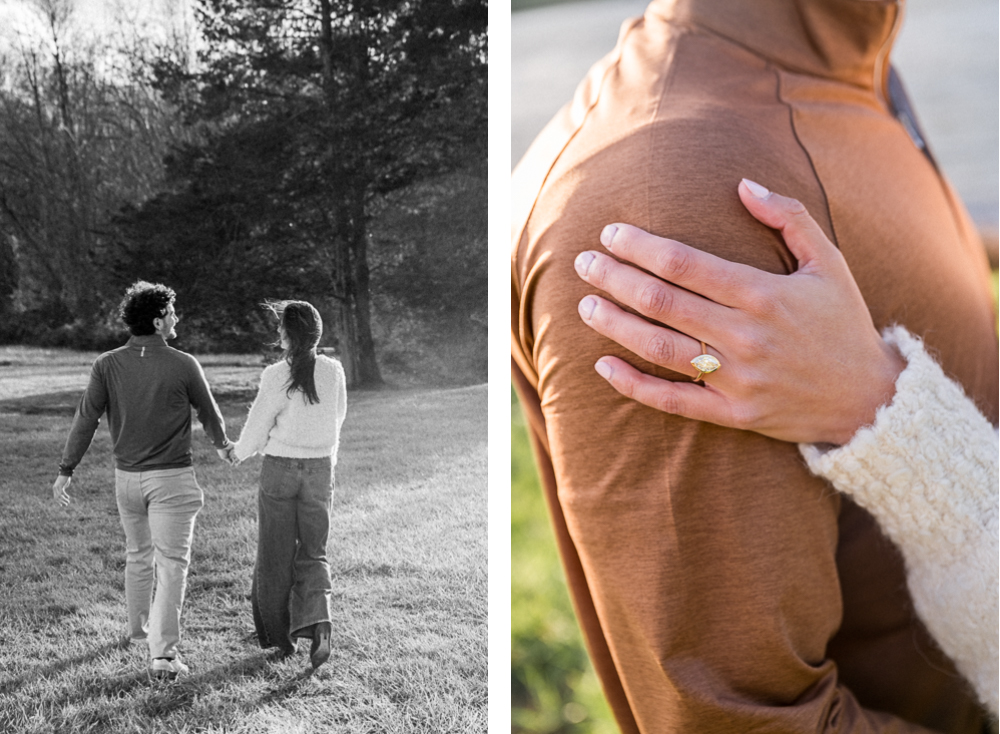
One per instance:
(370, 96)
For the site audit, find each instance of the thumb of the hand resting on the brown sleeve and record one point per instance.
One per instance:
(807, 242)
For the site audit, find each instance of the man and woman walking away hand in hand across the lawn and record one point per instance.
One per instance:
(147, 390)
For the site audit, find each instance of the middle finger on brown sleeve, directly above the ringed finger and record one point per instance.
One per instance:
(650, 296)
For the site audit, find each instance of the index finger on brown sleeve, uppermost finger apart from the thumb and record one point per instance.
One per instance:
(701, 272)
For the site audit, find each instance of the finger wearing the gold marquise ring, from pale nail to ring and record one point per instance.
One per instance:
(655, 344)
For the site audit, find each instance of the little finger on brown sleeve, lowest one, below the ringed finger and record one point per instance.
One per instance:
(677, 398)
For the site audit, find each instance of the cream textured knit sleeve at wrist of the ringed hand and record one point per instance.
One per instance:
(926, 469)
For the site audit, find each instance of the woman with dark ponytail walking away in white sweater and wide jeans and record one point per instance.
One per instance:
(295, 423)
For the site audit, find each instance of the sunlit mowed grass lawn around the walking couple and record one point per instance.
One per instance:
(408, 558)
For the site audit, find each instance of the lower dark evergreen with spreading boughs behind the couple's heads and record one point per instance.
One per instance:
(219, 232)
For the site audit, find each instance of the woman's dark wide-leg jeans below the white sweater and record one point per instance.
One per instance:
(291, 583)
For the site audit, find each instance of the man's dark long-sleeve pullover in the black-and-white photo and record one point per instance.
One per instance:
(147, 389)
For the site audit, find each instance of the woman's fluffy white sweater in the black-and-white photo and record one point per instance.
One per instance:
(280, 424)
